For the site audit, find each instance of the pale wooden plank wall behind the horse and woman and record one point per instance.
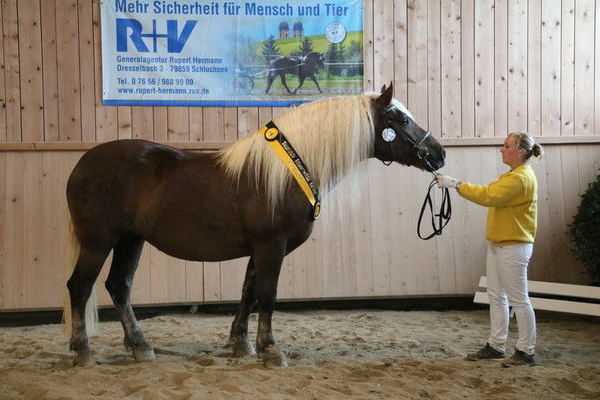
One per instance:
(470, 71)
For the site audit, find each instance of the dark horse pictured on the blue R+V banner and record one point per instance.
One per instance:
(304, 67)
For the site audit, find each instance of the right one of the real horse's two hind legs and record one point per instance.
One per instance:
(120, 279)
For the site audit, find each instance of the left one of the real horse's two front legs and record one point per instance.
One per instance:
(238, 336)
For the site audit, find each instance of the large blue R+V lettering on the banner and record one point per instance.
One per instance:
(132, 29)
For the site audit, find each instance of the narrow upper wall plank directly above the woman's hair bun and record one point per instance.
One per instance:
(534, 83)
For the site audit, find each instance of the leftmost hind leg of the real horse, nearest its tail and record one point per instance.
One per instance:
(80, 285)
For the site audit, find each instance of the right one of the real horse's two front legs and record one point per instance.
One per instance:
(267, 262)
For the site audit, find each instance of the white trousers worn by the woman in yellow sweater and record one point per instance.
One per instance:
(507, 284)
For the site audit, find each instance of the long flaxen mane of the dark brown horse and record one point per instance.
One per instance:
(331, 136)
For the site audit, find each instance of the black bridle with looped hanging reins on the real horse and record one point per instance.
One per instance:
(445, 213)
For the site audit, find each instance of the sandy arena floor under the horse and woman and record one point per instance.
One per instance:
(359, 354)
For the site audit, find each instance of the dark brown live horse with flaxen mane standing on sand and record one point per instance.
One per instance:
(236, 202)
